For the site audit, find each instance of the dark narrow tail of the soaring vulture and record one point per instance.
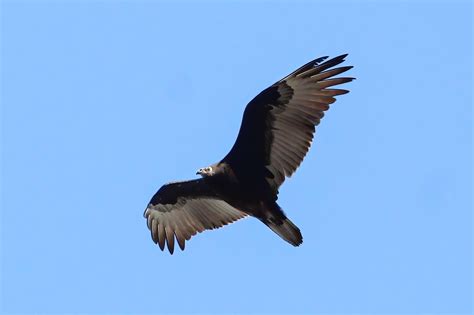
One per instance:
(281, 225)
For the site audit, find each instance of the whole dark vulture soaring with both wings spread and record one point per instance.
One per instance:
(275, 135)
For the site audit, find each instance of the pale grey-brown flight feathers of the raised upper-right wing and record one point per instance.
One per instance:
(308, 94)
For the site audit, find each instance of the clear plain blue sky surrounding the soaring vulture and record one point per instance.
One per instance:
(104, 101)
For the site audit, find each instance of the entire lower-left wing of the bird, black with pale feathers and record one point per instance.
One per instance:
(180, 210)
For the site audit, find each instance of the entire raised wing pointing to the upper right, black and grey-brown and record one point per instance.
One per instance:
(278, 124)
